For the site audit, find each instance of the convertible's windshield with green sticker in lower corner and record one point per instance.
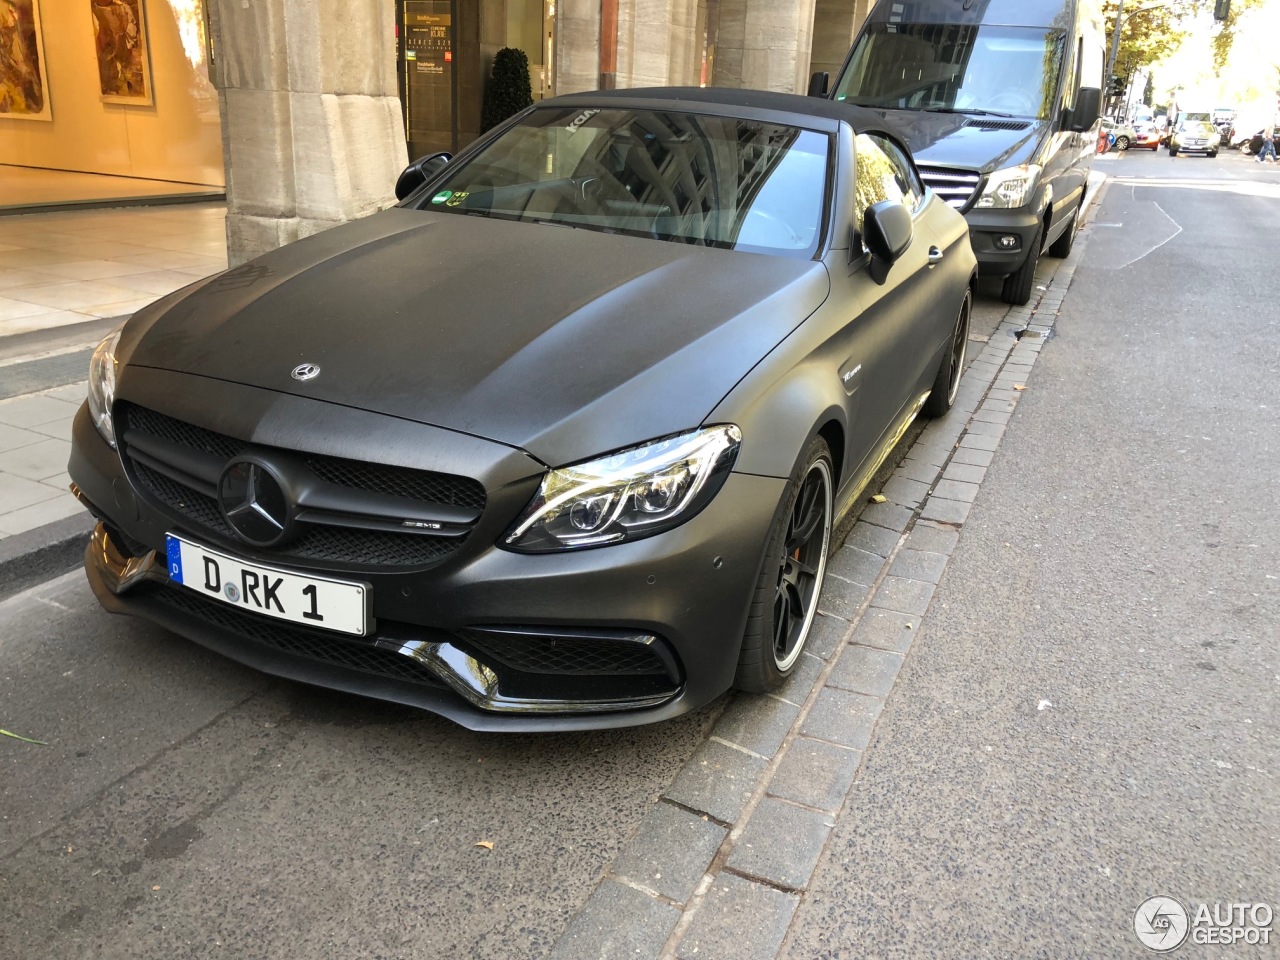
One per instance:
(685, 179)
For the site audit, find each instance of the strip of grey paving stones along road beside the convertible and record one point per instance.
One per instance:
(778, 798)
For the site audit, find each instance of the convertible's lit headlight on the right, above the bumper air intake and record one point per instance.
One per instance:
(629, 495)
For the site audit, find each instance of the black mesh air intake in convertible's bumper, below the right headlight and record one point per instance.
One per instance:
(568, 656)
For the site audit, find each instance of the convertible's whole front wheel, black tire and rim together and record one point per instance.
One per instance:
(792, 575)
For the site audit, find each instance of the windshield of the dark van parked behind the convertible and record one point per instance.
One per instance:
(1003, 71)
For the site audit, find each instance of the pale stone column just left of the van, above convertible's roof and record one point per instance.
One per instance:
(765, 45)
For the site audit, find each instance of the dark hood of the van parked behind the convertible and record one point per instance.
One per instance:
(950, 141)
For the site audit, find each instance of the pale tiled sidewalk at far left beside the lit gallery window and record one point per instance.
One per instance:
(66, 281)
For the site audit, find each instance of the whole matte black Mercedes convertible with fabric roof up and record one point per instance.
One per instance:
(557, 442)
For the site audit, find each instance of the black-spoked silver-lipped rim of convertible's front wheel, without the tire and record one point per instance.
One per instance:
(804, 564)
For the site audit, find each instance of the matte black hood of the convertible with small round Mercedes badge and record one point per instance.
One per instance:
(563, 342)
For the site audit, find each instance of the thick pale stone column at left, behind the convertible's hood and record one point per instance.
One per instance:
(313, 132)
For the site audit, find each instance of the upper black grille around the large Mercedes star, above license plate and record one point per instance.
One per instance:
(360, 541)
